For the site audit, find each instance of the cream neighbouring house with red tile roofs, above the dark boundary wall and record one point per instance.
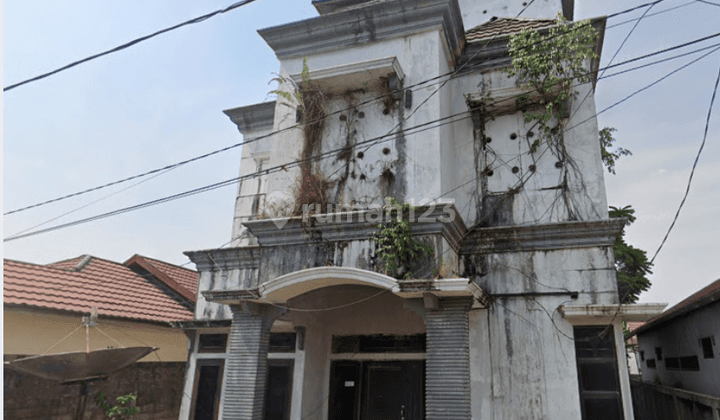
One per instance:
(135, 301)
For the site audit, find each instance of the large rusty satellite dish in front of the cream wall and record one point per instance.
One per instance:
(80, 365)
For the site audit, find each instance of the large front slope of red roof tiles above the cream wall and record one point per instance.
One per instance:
(113, 288)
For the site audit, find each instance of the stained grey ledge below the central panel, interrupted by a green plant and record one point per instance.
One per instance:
(354, 226)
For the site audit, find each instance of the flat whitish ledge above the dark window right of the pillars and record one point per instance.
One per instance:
(599, 314)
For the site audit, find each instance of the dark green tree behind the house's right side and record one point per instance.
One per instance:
(631, 264)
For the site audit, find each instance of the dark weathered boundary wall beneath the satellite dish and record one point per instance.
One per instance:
(158, 386)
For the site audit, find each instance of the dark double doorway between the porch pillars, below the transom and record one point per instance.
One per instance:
(377, 390)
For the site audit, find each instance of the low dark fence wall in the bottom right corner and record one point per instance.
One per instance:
(656, 402)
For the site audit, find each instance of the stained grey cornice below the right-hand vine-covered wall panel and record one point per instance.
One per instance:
(580, 234)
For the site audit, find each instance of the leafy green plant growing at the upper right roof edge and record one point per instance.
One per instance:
(548, 65)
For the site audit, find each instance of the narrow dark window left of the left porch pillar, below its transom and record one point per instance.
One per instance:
(207, 387)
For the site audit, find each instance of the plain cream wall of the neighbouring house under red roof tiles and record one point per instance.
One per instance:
(32, 332)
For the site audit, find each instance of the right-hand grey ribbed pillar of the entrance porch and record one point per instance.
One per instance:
(447, 365)
